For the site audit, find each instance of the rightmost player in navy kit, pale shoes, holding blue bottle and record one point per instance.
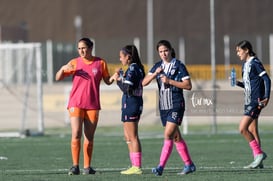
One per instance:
(257, 85)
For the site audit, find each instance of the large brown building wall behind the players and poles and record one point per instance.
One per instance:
(112, 24)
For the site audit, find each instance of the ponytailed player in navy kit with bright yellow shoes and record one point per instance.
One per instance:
(130, 83)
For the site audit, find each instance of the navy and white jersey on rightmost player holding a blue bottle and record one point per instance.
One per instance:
(254, 85)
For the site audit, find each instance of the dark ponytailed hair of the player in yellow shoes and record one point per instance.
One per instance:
(131, 50)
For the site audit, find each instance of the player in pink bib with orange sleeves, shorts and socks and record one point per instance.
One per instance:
(84, 102)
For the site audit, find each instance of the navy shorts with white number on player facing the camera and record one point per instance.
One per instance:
(172, 115)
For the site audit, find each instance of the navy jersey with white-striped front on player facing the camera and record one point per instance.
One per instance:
(171, 97)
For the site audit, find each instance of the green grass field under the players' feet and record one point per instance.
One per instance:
(47, 158)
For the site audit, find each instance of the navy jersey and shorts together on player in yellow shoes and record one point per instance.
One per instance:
(131, 86)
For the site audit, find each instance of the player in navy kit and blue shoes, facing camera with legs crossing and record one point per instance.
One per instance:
(172, 77)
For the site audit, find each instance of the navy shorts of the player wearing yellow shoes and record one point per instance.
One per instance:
(131, 109)
